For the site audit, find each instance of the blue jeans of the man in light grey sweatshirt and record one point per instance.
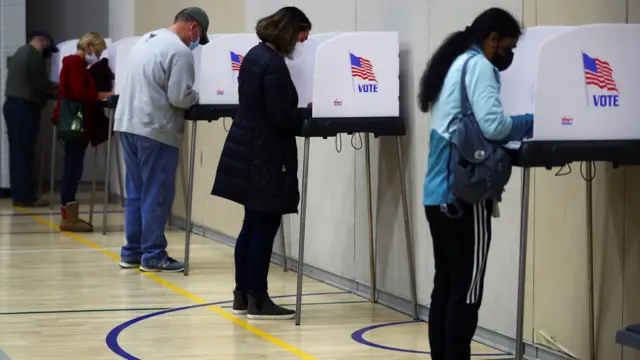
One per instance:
(150, 185)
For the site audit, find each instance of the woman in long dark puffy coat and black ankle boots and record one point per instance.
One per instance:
(259, 163)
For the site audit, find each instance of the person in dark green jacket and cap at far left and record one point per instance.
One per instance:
(27, 90)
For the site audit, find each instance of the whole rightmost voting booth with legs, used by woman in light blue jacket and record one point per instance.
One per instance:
(582, 88)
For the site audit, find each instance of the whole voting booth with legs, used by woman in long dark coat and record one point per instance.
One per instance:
(352, 79)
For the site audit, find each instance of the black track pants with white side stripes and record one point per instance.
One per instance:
(460, 248)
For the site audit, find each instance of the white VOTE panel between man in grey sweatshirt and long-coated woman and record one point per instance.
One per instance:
(221, 59)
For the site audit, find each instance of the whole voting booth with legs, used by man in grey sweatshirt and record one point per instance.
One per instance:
(217, 78)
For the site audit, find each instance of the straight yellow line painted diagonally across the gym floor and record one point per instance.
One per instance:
(263, 334)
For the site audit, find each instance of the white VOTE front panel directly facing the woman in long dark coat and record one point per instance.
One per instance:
(357, 75)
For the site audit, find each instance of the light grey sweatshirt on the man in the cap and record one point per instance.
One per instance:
(158, 88)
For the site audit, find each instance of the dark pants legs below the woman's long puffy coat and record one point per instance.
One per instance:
(253, 251)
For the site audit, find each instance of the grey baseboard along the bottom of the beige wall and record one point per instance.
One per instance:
(485, 336)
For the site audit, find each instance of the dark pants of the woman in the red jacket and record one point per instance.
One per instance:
(74, 151)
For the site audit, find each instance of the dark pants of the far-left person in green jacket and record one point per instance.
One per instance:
(23, 125)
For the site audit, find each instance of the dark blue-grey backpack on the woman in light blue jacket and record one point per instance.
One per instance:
(481, 168)
